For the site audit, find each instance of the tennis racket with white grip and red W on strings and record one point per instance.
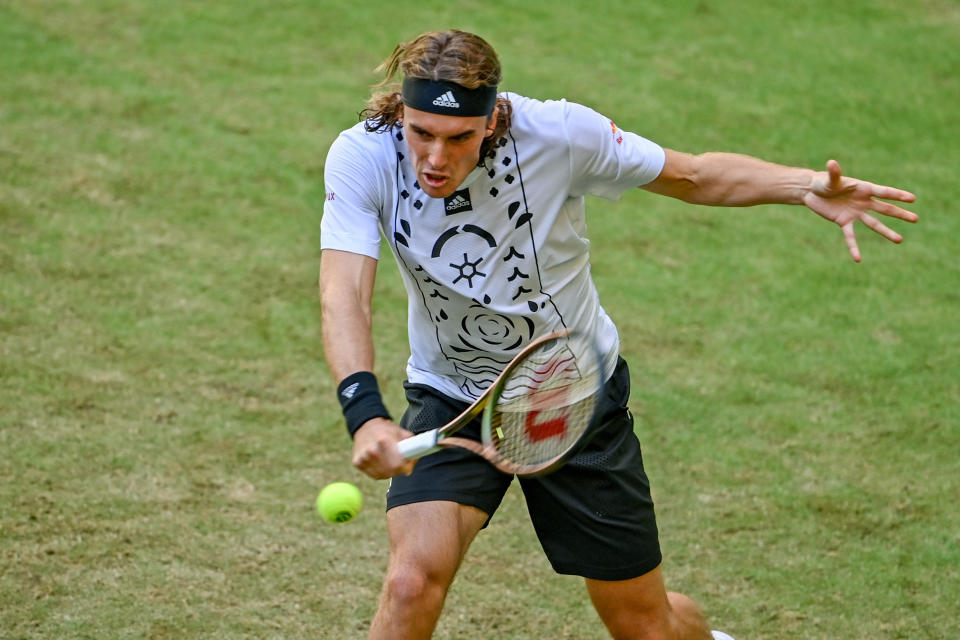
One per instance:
(535, 412)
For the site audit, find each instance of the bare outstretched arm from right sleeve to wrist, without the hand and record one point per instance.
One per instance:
(730, 180)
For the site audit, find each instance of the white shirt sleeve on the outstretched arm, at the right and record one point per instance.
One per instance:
(606, 160)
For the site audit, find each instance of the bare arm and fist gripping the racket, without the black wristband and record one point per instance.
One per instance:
(346, 290)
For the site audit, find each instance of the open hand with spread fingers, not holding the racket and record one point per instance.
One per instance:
(845, 200)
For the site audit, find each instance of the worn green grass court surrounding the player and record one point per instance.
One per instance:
(166, 418)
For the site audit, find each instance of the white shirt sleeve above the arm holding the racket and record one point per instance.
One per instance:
(351, 211)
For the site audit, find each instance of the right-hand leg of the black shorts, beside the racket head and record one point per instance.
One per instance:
(594, 516)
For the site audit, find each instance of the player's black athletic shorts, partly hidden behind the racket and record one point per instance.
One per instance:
(594, 516)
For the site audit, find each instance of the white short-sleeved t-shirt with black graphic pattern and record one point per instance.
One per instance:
(503, 259)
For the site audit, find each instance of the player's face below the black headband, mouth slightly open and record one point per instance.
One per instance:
(445, 149)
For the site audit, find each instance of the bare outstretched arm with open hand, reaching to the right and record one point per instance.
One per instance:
(733, 180)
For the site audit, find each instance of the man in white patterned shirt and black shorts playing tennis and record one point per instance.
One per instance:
(480, 196)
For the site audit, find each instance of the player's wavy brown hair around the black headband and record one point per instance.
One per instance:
(454, 56)
